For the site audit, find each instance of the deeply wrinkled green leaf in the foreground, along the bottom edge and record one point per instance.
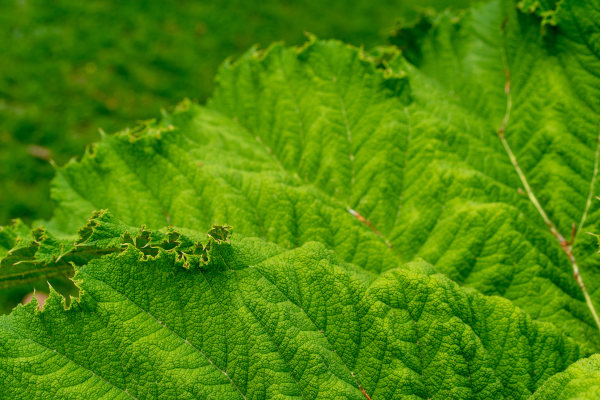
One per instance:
(259, 321)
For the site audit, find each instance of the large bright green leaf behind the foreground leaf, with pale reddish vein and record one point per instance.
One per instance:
(384, 160)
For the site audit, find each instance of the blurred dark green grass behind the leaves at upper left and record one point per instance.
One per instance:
(70, 67)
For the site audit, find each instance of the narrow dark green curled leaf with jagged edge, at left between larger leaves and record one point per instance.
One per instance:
(45, 256)
